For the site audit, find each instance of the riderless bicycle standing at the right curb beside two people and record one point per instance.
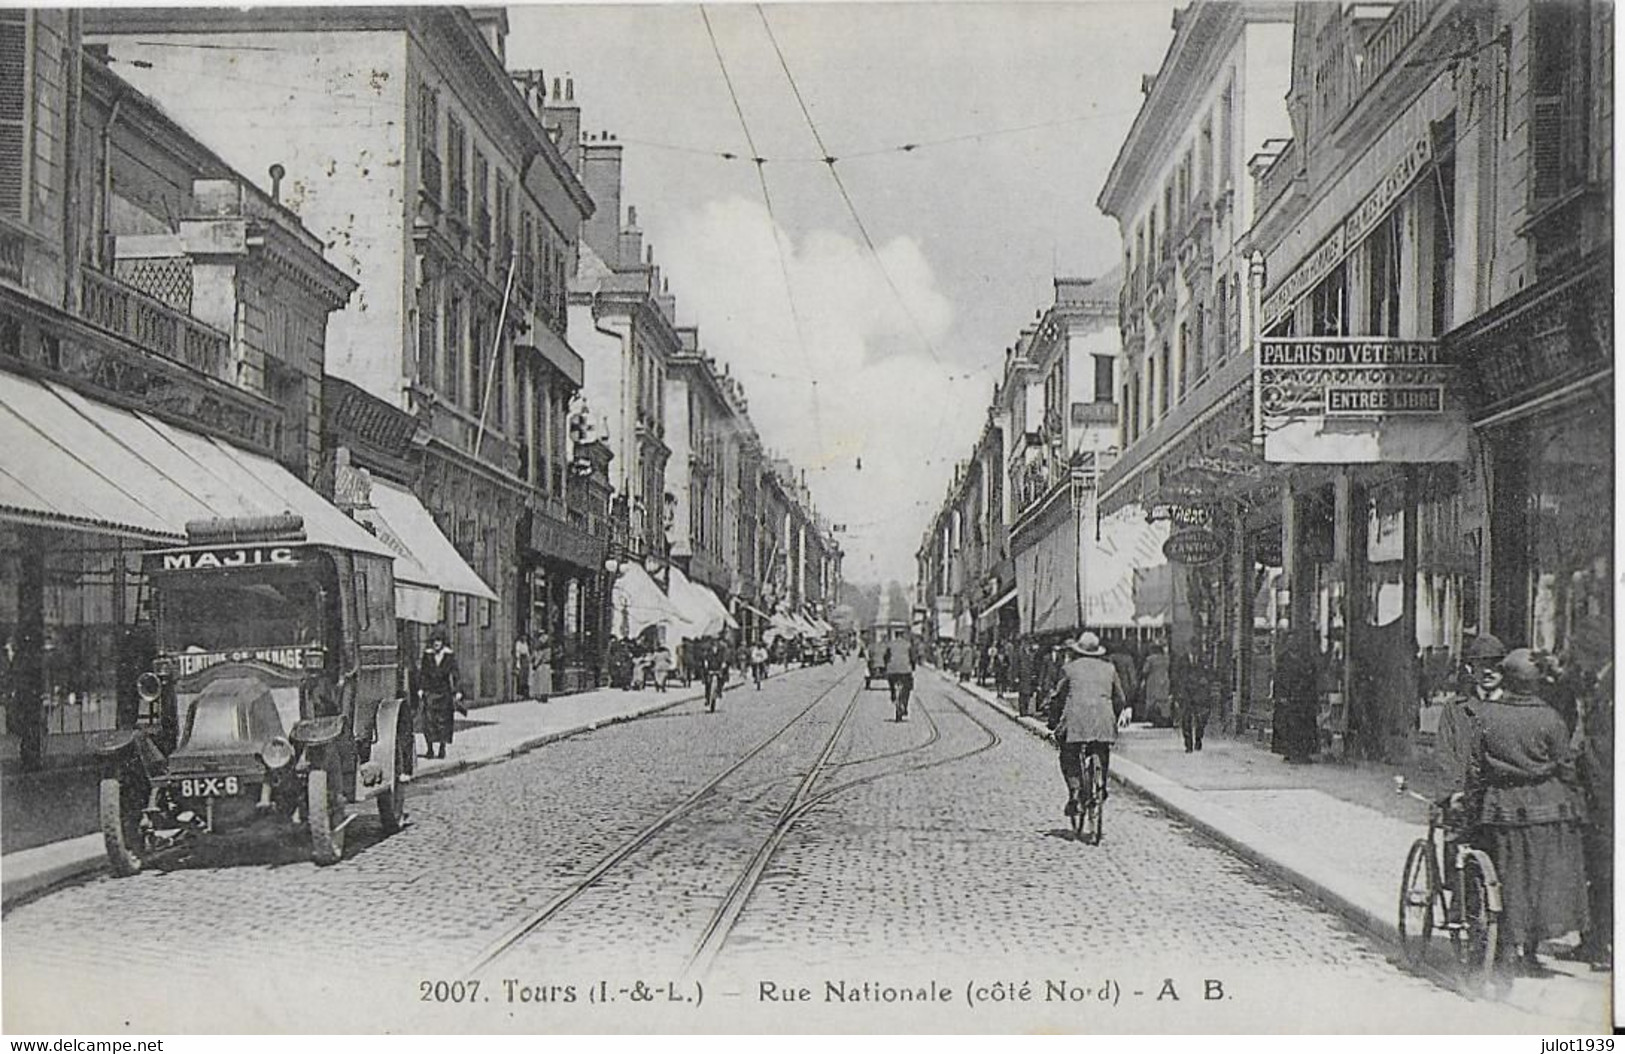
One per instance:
(1467, 905)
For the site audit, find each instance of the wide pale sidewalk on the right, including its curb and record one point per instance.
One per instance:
(1337, 832)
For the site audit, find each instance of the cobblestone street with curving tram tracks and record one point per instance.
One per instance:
(929, 855)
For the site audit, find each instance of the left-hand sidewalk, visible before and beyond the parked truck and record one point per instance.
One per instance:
(485, 737)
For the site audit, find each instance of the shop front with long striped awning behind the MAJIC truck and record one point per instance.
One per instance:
(87, 488)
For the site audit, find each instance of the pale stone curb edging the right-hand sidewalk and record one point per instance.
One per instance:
(1250, 844)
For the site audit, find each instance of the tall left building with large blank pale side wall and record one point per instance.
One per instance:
(436, 179)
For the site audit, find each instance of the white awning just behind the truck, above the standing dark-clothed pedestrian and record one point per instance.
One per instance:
(427, 563)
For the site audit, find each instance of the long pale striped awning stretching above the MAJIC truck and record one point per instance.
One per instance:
(77, 464)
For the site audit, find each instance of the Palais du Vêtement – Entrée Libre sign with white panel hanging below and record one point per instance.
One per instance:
(1354, 400)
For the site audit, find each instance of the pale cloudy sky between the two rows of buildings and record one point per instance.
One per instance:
(867, 316)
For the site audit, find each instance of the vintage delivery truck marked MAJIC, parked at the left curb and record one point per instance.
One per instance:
(277, 693)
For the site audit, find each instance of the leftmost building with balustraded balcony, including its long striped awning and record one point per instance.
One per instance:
(163, 330)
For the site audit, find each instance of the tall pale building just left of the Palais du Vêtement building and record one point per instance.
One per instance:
(1184, 197)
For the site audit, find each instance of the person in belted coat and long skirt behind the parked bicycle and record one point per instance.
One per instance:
(1523, 775)
